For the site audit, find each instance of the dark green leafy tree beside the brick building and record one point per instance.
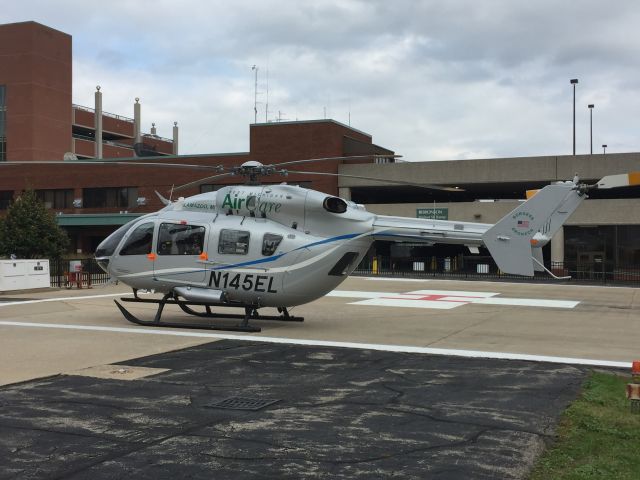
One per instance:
(29, 230)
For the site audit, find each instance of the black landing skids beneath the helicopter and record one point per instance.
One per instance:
(251, 313)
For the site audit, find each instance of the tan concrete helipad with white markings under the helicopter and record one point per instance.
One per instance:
(58, 331)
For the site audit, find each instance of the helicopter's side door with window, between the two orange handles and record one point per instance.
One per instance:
(179, 254)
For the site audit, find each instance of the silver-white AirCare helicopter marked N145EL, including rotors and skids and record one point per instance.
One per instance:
(254, 246)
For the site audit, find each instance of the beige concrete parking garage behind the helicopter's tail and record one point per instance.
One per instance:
(603, 235)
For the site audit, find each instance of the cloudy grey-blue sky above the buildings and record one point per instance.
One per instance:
(432, 79)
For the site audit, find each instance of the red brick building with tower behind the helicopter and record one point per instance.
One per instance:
(39, 122)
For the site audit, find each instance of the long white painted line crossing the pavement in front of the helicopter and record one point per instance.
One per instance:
(324, 343)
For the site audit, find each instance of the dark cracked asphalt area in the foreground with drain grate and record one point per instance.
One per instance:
(339, 413)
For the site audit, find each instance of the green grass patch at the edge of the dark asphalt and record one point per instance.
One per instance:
(597, 438)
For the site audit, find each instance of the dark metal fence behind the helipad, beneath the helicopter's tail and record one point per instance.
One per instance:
(484, 268)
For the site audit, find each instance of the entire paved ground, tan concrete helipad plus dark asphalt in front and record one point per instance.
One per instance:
(374, 383)
